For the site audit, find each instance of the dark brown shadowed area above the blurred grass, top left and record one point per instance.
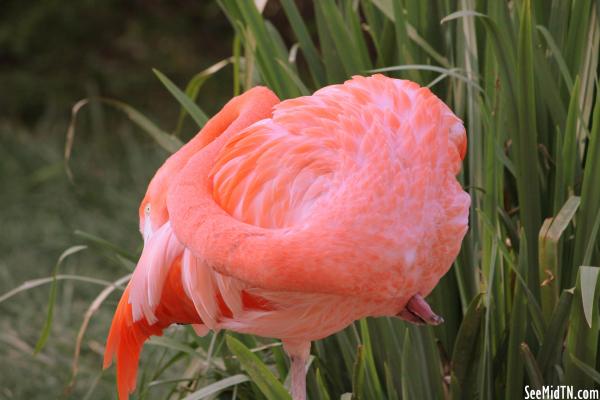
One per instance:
(55, 52)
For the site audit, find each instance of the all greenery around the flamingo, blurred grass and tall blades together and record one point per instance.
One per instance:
(521, 305)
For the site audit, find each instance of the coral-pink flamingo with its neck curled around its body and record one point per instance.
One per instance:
(293, 219)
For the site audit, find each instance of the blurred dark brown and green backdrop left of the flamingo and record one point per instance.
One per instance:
(52, 54)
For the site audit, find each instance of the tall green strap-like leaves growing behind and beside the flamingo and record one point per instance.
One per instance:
(521, 302)
